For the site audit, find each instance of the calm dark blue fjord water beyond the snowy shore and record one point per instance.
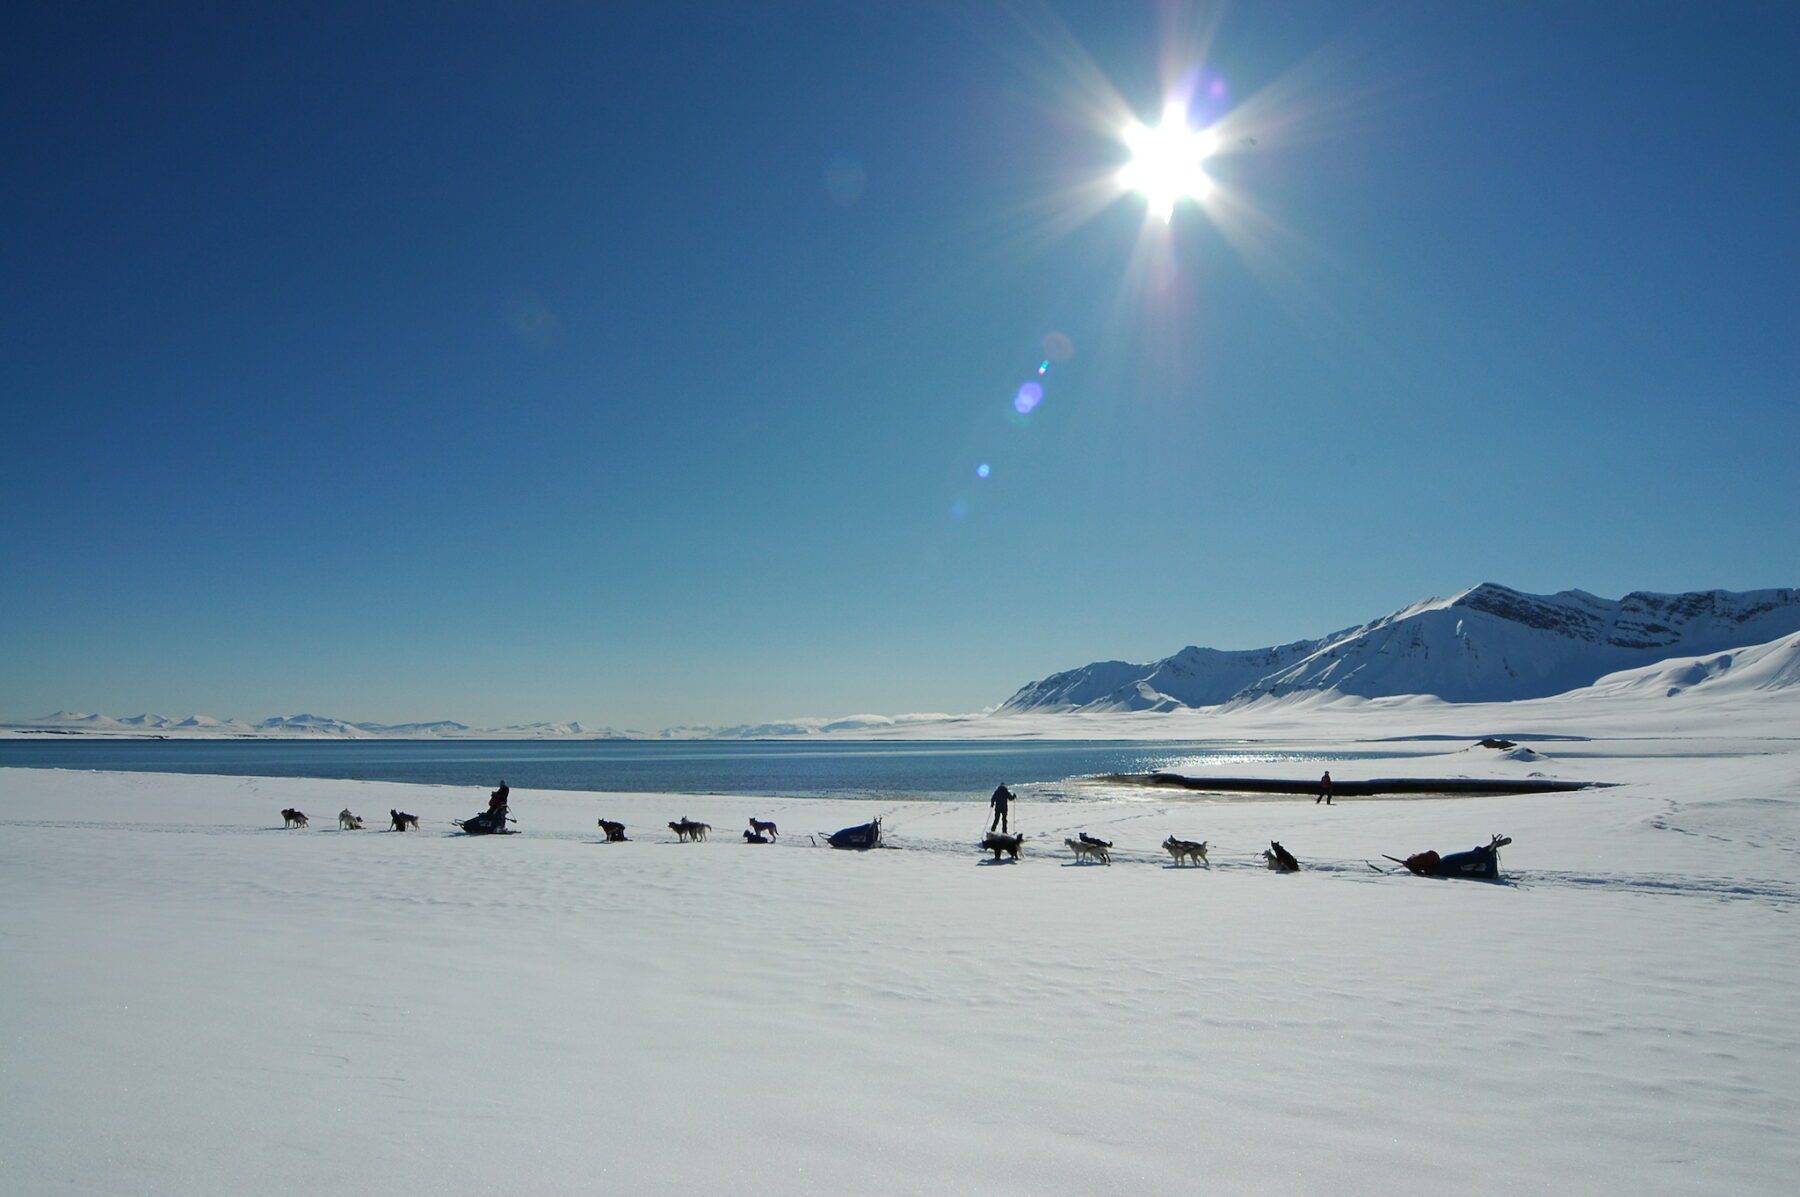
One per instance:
(940, 769)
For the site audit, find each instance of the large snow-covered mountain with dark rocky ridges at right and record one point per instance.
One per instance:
(1484, 645)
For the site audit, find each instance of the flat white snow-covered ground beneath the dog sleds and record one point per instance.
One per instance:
(199, 1002)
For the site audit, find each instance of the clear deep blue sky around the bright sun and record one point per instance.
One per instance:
(636, 363)
